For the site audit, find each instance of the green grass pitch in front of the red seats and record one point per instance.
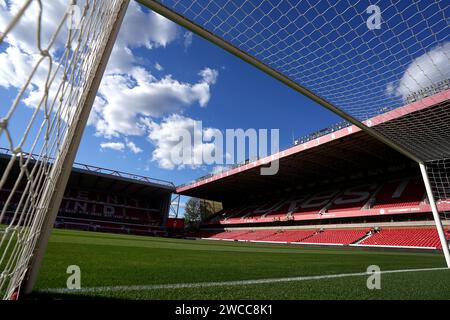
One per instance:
(108, 261)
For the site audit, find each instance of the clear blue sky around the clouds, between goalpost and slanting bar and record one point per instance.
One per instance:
(241, 97)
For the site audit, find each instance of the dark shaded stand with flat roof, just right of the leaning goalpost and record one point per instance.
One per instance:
(102, 200)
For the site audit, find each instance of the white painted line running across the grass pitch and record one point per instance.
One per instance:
(227, 283)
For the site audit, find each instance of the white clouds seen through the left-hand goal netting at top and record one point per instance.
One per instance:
(21, 54)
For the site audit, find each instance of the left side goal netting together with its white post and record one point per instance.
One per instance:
(65, 45)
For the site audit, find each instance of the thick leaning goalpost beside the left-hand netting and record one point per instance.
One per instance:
(66, 159)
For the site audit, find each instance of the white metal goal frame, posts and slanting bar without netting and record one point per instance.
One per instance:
(62, 166)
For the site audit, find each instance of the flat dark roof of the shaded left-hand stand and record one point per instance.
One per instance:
(85, 176)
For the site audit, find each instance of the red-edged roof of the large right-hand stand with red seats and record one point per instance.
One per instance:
(342, 154)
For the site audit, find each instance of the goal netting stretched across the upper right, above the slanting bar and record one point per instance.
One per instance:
(382, 66)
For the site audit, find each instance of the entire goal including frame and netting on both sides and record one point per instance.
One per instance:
(325, 50)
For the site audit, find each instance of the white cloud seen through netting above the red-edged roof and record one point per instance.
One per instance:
(430, 68)
